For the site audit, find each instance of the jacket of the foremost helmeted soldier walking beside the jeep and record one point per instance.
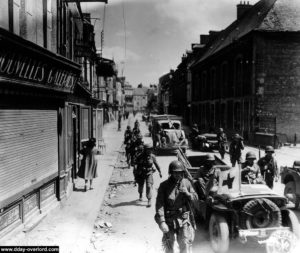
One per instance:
(171, 204)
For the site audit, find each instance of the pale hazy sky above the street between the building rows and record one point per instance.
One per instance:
(158, 32)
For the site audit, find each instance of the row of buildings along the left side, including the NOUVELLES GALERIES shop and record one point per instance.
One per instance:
(55, 92)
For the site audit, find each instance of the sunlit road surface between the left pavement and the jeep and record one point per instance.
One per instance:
(131, 226)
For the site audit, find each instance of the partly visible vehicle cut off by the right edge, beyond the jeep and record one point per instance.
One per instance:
(290, 177)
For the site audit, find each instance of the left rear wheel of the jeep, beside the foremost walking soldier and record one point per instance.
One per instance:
(219, 233)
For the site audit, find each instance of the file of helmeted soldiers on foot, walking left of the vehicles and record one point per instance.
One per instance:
(173, 204)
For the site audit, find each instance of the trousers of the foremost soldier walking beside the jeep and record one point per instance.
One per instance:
(184, 235)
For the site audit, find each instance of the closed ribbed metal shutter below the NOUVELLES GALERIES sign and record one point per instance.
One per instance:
(28, 149)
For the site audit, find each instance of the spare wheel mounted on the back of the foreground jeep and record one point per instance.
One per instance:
(260, 213)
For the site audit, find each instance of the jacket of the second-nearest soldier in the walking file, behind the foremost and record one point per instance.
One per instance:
(145, 163)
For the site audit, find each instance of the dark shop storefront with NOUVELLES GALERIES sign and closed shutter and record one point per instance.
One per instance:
(39, 126)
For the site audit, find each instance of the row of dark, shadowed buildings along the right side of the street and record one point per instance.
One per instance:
(244, 78)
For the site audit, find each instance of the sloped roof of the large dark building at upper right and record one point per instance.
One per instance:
(265, 15)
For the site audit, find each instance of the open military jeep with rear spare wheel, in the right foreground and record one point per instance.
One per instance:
(232, 210)
